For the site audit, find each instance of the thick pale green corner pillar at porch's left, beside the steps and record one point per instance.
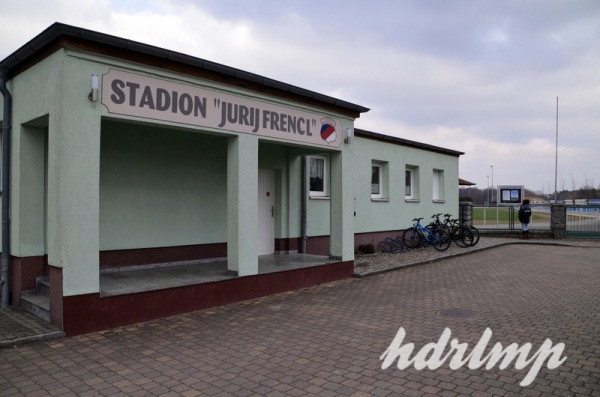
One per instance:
(74, 194)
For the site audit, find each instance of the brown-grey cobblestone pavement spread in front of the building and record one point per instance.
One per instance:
(327, 340)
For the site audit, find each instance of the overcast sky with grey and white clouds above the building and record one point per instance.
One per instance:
(478, 76)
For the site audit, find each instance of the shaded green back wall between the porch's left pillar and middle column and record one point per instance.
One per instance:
(161, 187)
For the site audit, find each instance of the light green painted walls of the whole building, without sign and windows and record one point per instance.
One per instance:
(84, 182)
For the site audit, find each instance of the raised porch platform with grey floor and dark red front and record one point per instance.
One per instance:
(137, 295)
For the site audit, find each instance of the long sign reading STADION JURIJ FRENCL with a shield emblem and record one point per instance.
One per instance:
(142, 96)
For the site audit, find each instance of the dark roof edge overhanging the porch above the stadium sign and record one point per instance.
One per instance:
(59, 35)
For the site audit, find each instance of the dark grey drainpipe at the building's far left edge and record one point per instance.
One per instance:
(5, 190)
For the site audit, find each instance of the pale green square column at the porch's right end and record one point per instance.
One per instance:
(342, 206)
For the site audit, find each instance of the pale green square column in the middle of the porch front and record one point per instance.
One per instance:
(242, 204)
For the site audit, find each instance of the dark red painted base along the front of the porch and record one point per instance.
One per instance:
(88, 313)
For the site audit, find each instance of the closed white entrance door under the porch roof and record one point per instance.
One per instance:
(266, 212)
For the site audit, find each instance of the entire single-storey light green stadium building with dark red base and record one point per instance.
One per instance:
(119, 155)
